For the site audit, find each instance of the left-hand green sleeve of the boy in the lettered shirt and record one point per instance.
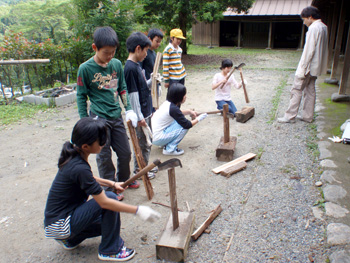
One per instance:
(82, 92)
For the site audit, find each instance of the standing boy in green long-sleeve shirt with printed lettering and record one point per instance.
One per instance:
(101, 79)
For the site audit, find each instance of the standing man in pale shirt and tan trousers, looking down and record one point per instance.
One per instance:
(313, 63)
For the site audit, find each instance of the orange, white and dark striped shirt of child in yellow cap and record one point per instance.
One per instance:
(172, 65)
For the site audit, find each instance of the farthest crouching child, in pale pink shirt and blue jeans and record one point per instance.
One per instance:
(222, 86)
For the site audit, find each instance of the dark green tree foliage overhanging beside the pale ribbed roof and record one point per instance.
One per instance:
(183, 13)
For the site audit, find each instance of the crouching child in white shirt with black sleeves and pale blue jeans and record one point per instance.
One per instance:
(169, 122)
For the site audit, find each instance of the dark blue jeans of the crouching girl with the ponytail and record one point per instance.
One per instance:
(90, 220)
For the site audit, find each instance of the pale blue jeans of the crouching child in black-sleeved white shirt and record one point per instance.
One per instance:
(170, 137)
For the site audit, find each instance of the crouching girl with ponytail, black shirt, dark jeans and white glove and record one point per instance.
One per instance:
(70, 217)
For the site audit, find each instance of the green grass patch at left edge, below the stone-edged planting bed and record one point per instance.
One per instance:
(14, 112)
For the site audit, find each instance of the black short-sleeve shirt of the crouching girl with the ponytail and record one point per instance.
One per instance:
(71, 188)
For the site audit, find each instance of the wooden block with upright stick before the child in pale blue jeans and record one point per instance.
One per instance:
(227, 144)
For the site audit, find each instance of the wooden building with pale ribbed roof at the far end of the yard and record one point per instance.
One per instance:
(268, 24)
